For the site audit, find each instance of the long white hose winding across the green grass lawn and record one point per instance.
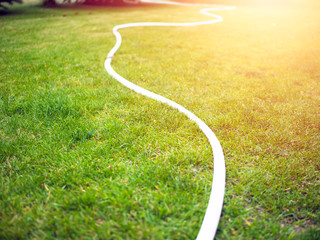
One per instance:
(213, 212)
